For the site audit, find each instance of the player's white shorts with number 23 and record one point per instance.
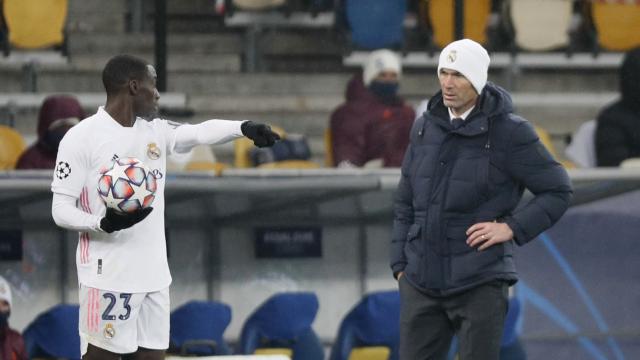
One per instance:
(122, 322)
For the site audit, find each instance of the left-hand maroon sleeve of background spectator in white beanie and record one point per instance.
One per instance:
(348, 134)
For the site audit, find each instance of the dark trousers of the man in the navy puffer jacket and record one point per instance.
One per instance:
(476, 316)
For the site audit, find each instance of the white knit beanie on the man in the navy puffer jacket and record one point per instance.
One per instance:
(468, 58)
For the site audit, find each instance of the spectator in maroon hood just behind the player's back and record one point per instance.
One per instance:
(58, 114)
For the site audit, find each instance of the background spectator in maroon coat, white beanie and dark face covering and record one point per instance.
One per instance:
(373, 125)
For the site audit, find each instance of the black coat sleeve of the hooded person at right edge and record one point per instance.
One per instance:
(611, 148)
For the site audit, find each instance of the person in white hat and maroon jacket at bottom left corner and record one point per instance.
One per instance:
(11, 342)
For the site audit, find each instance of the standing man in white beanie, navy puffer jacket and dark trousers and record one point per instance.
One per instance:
(455, 219)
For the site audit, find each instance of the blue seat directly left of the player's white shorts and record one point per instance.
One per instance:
(54, 334)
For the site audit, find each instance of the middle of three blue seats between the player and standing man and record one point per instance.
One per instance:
(282, 325)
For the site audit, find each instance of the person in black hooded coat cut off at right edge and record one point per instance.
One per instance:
(617, 135)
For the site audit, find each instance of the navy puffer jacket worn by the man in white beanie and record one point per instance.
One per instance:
(454, 178)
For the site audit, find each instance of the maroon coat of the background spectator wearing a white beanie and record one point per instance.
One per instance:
(366, 128)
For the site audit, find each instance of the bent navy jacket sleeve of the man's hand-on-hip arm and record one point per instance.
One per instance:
(531, 164)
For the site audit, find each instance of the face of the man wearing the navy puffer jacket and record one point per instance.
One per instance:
(457, 92)
